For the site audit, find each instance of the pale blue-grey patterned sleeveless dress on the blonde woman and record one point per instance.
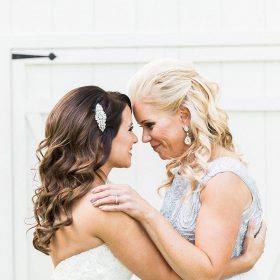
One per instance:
(183, 215)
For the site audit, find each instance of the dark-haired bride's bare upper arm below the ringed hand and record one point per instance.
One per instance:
(130, 244)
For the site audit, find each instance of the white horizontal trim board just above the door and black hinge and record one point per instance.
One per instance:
(152, 39)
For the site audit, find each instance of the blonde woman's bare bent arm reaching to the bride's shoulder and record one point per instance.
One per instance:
(217, 227)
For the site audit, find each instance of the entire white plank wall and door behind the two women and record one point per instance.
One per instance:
(102, 42)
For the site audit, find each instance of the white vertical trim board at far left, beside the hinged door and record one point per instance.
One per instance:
(6, 175)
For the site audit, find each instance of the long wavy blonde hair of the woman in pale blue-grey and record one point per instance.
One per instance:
(169, 84)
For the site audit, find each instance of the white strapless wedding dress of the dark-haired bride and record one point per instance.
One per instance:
(95, 264)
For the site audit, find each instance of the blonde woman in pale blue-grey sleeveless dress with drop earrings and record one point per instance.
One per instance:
(210, 197)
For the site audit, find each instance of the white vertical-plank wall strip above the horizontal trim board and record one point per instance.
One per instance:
(59, 16)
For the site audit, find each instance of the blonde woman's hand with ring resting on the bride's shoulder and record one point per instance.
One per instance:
(113, 197)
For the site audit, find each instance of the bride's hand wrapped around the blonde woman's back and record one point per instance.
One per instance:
(254, 246)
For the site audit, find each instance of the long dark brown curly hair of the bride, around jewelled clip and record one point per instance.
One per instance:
(71, 155)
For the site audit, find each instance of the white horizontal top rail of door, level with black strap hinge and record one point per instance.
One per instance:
(136, 55)
